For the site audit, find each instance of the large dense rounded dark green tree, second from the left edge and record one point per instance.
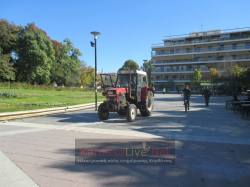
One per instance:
(36, 55)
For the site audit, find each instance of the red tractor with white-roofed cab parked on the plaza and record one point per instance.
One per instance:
(126, 94)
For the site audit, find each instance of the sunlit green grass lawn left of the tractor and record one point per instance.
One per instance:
(18, 99)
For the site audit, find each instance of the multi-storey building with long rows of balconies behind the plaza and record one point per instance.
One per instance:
(176, 59)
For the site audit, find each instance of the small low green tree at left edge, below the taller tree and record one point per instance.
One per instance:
(7, 72)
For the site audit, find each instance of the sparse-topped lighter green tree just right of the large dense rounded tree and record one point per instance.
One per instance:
(66, 68)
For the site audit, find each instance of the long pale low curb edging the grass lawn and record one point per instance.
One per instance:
(41, 112)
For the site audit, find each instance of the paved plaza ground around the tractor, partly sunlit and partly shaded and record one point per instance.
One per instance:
(212, 147)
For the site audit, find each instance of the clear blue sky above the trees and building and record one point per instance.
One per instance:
(128, 27)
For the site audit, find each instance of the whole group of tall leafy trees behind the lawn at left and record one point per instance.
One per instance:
(35, 58)
